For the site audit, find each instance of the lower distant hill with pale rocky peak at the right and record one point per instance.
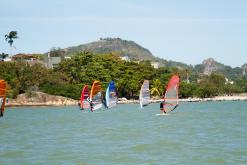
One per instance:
(209, 66)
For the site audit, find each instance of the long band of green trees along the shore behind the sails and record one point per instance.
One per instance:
(68, 78)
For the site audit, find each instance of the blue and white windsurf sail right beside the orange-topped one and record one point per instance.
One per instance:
(111, 95)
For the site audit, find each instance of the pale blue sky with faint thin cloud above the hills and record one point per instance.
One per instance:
(187, 31)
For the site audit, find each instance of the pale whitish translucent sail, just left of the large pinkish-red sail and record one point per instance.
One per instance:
(144, 96)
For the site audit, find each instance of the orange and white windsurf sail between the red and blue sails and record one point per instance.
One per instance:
(95, 95)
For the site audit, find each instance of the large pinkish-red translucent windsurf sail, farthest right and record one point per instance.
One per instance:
(171, 95)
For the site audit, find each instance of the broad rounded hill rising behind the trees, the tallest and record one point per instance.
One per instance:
(123, 48)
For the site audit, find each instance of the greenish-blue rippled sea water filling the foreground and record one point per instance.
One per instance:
(194, 134)
